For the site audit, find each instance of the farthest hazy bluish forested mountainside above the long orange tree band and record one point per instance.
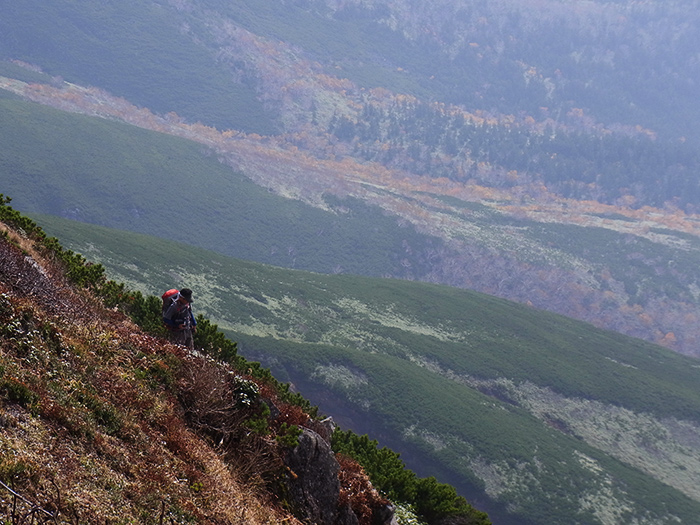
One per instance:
(572, 98)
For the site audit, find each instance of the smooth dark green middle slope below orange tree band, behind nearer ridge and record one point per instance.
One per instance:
(121, 176)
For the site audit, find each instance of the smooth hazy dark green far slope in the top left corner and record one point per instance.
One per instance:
(137, 51)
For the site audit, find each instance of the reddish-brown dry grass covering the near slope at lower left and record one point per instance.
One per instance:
(92, 429)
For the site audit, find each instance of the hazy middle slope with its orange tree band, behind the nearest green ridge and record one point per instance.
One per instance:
(555, 255)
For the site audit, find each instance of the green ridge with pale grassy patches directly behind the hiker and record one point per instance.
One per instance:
(534, 417)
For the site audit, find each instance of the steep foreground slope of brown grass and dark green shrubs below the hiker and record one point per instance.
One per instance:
(104, 421)
